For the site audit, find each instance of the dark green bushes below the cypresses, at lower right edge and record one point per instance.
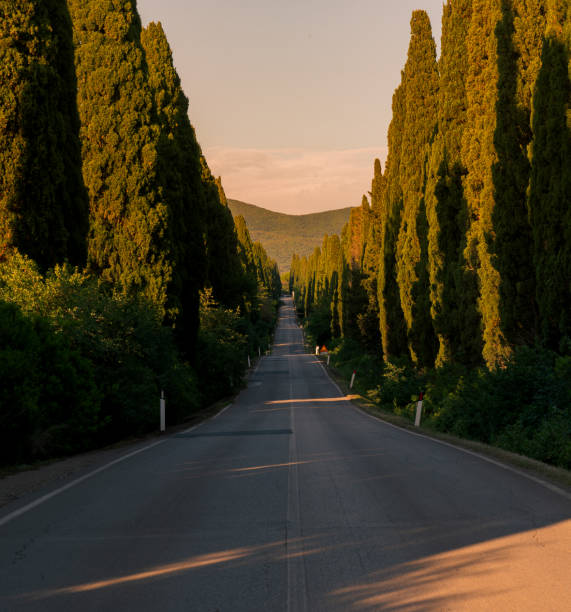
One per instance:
(524, 407)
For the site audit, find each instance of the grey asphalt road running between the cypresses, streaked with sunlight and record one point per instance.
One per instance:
(291, 499)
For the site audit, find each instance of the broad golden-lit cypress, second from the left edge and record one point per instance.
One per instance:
(129, 243)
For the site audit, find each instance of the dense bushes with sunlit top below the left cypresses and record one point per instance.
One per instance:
(81, 366)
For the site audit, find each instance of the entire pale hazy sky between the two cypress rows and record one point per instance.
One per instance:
(291, 99)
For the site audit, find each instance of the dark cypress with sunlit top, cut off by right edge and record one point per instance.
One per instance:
(549, 210)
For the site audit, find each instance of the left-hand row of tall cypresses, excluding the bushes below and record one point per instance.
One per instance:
(100, 166)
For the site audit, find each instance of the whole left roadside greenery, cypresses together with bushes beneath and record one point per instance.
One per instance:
(121, 266)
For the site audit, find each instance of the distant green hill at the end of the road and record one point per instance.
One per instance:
(282, 235)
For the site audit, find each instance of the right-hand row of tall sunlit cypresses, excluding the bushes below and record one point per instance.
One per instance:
(464, 252)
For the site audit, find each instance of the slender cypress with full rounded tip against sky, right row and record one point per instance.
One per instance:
(421, 87)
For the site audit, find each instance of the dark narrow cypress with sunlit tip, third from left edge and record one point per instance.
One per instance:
(180, 177)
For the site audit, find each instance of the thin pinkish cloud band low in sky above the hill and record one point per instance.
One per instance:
(295, 181)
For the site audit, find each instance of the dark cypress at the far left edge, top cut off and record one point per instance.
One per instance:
(43, 202)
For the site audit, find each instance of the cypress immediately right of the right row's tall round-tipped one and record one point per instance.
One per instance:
(453, 285)
